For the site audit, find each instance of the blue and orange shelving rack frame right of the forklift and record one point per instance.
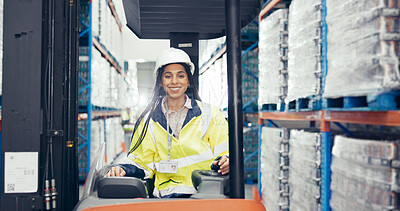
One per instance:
(325, 116)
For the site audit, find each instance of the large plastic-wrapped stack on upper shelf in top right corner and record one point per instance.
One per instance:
(363, 47)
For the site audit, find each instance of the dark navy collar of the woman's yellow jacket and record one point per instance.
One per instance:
(158, 115)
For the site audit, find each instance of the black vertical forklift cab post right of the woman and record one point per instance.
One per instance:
(235, 104)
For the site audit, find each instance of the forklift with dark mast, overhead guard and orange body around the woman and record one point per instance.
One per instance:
(39, 106)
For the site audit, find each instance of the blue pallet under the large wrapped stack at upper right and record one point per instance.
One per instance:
(372, 102)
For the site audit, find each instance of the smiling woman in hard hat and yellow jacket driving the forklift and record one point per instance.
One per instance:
(176, 133)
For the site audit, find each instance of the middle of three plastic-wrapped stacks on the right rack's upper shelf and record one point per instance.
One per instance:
(304, 60)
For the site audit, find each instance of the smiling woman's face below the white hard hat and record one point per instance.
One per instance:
(175, 81)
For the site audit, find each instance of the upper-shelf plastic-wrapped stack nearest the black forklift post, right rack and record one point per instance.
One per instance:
(272, 47)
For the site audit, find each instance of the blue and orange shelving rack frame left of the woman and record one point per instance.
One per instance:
(87, 111)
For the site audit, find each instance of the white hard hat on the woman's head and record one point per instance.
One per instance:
(171, 56)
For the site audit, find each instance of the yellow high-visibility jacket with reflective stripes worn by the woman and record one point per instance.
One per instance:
(204, 136)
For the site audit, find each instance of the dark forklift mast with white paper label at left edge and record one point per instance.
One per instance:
(39, 107)
